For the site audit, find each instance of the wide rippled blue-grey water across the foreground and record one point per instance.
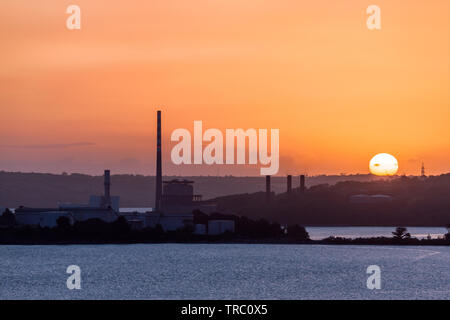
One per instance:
(224, 271)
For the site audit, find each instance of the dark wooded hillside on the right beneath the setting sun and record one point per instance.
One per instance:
(412, 201)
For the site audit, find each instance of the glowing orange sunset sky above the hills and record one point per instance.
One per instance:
(85, 100)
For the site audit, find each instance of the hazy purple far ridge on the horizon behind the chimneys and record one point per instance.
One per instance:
(48, 190)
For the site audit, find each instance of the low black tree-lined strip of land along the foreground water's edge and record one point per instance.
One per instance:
(96, 231)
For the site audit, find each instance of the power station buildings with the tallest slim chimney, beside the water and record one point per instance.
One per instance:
(175, 202)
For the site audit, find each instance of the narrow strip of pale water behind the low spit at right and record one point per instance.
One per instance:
(317, 233)
